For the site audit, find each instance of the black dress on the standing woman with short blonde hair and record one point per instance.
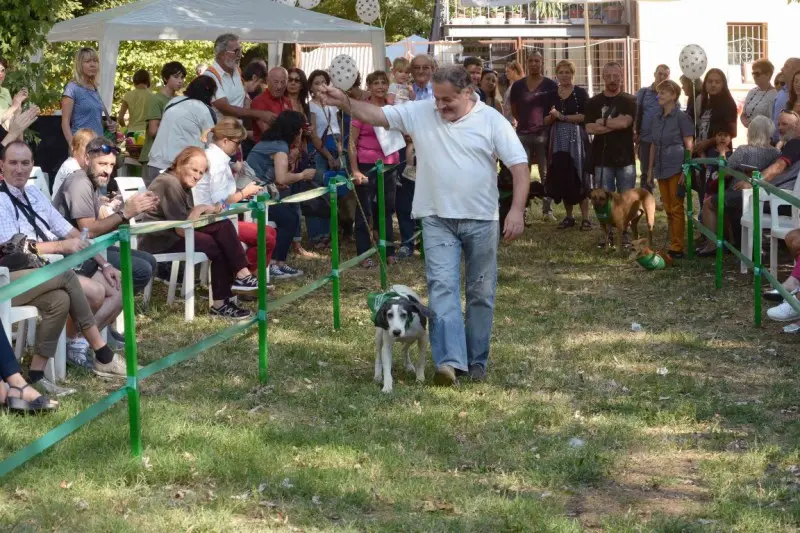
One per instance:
(567, 172)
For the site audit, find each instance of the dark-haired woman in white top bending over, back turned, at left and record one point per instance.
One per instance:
(182, 125)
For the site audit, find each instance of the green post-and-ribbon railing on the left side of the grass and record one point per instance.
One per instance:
(135, 374)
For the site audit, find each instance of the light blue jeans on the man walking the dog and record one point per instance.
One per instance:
(444, 239)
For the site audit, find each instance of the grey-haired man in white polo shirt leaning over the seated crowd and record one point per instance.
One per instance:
(229, 100)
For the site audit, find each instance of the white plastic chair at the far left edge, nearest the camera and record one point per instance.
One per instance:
(27, 316)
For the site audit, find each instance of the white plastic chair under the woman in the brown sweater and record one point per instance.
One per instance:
(128, 186)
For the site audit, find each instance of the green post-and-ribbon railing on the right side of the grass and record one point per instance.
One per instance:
(719, 237)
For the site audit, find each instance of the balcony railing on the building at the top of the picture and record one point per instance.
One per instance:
(612, 12)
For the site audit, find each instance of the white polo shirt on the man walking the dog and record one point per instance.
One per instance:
(457, 161)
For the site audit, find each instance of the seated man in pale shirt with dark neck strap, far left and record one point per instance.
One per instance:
(25, 209)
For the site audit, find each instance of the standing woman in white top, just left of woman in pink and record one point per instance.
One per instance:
(326, 136)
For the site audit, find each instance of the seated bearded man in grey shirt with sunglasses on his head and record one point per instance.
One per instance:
(79, 201)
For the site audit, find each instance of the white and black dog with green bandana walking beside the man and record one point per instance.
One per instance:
(404, 319)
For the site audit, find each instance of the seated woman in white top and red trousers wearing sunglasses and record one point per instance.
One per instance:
(218, 184)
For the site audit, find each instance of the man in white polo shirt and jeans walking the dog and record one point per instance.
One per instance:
(457, 139)
